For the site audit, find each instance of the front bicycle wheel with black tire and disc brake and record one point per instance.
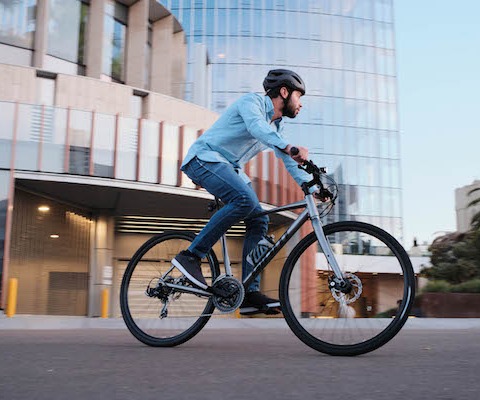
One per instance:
(331, 325)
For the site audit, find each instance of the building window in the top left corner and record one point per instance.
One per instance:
(17, 22)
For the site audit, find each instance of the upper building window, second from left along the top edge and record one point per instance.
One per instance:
(66, 29)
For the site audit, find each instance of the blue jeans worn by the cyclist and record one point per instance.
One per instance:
(241, 201)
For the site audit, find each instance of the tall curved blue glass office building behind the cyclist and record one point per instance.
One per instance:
(344, 50)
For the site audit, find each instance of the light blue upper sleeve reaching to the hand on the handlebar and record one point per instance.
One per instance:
(252, 112)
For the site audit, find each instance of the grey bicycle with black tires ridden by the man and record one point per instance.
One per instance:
(352, 298)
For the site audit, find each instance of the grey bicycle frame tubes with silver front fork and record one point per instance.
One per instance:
(311, 212)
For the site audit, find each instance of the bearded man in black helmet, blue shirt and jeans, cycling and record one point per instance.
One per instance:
(252, 124)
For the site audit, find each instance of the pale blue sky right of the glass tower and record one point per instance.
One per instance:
(438, 69)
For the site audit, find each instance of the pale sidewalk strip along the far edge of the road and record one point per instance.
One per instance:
(65, 322)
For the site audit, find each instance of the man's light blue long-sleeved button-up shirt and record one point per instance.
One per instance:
(240, 133)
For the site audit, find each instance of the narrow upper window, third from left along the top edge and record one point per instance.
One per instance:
(116, 16)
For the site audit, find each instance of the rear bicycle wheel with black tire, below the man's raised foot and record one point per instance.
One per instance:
(187, 314)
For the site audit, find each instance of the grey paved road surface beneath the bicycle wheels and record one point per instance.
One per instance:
(234, 364)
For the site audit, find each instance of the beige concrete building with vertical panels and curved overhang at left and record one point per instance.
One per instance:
(93, 132)
